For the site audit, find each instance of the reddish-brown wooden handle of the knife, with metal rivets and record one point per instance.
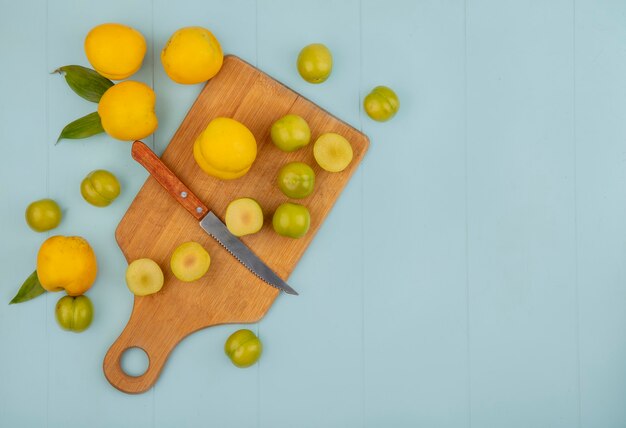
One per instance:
(166, 178)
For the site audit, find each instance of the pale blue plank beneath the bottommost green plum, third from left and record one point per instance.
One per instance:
(236, 391)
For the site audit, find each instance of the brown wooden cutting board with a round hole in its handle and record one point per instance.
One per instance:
(155, 224)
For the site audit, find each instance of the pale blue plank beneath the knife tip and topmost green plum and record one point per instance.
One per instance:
(327, 354)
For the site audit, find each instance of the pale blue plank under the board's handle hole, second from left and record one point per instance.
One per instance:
(67, 359)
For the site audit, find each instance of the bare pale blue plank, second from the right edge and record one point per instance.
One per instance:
(521, 214)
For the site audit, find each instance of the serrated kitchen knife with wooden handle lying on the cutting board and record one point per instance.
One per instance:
(208, 221)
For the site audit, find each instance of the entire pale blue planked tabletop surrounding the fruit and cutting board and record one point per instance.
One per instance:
(472, 274)
